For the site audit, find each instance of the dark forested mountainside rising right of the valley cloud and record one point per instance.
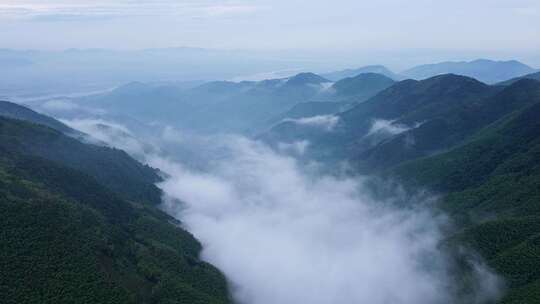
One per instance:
(475, 146)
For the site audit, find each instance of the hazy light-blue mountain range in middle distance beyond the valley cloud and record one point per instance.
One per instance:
(223, 106)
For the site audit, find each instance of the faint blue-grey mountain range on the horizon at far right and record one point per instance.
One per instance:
(488, 71)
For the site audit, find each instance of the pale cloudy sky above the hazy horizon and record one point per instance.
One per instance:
(272, 24)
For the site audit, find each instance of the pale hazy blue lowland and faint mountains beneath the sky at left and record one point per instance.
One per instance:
(86, 70)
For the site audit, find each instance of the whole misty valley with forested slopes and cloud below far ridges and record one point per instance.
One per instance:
(289, 185)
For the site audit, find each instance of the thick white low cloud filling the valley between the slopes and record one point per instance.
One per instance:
(283, 233)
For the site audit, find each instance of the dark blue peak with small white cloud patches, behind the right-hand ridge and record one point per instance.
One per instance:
(405, 105)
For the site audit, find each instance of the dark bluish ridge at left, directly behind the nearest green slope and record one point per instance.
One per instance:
(111, 167)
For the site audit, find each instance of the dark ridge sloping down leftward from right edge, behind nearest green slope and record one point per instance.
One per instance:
(441, 131)
